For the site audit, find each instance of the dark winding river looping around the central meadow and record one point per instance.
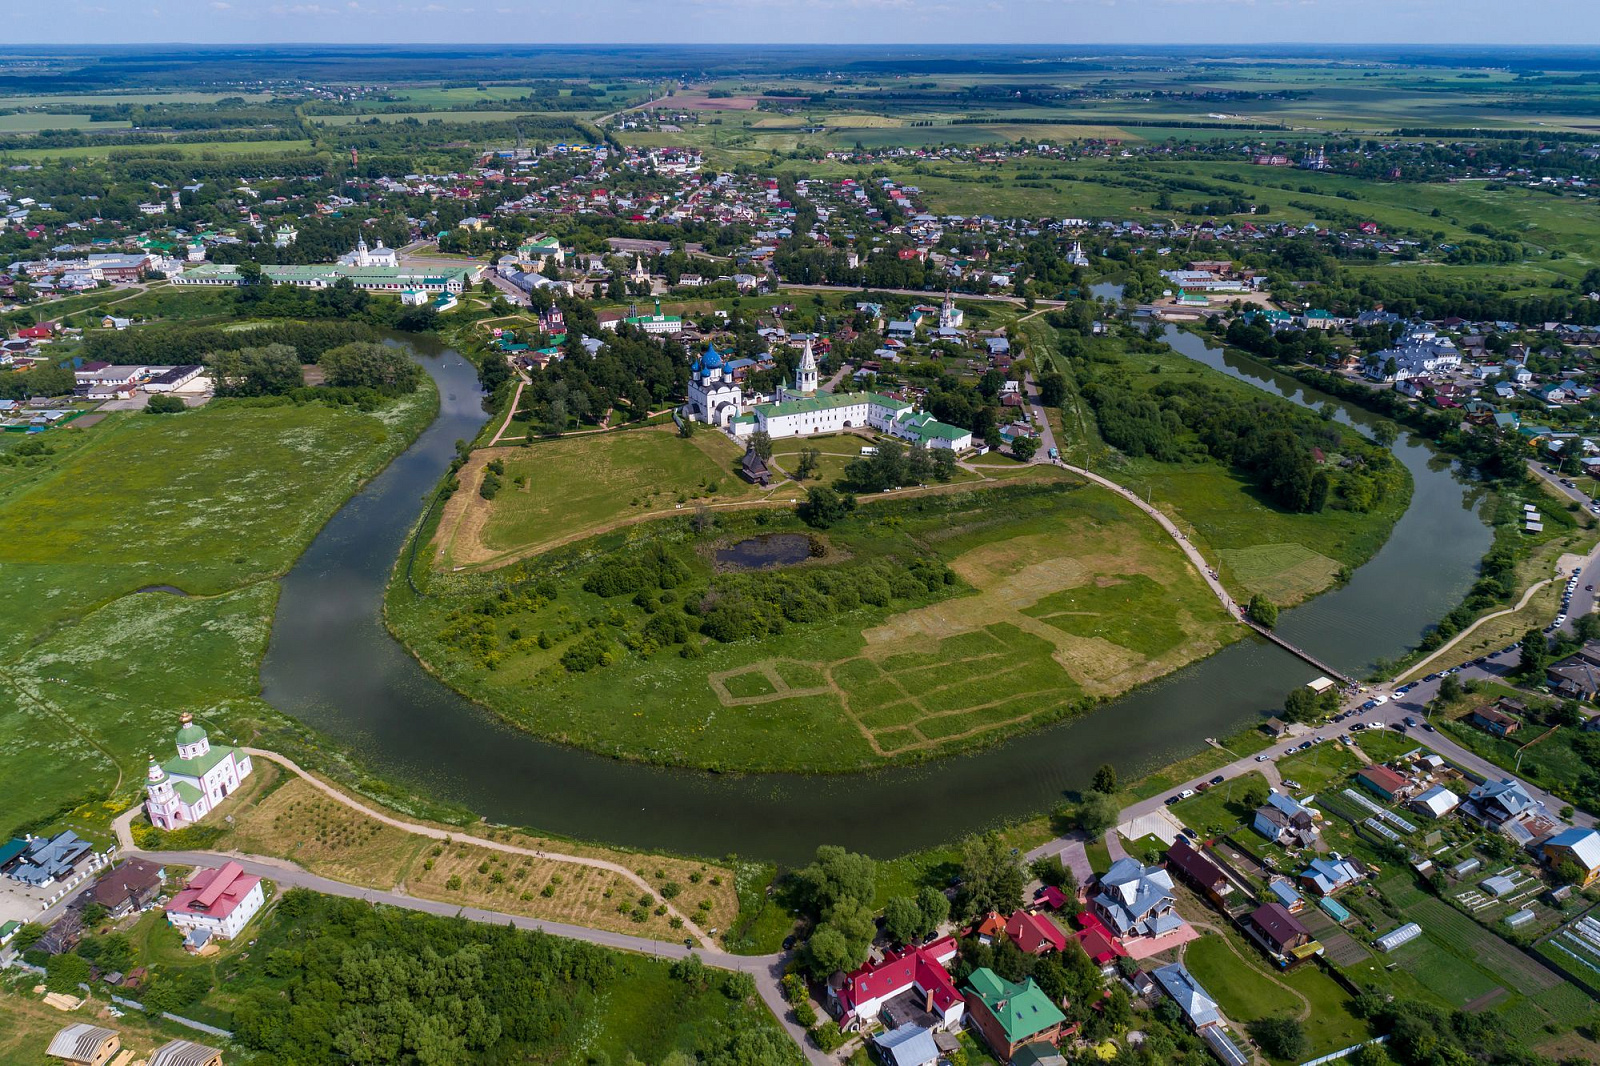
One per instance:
(334, 665)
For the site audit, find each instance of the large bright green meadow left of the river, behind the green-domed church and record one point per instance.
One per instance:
(142, 556)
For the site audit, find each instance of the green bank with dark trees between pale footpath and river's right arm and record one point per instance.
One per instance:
(1287, 502)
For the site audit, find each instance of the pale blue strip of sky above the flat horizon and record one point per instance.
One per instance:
(802, 22)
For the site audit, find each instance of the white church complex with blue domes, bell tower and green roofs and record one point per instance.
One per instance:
(718, 399)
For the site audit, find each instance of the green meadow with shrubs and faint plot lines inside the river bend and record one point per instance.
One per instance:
(911, 628)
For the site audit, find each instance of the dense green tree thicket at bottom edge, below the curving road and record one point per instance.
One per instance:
(337, 982)
